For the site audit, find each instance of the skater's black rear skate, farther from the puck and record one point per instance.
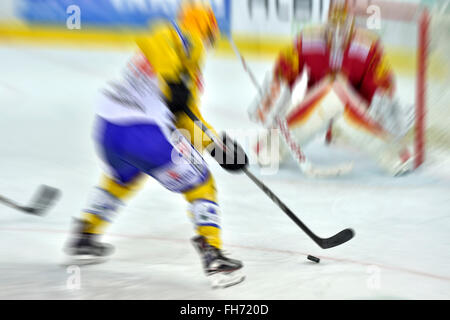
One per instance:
(84, 248)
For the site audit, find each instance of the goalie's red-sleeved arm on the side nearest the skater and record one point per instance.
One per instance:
(277, 87)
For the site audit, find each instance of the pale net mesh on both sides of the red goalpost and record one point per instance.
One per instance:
(399, 29)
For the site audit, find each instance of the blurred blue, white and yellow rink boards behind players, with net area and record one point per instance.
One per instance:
(260, 28)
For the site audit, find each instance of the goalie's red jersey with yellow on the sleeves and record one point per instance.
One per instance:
(362, 62)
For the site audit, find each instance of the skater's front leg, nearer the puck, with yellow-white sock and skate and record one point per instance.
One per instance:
(187, 173)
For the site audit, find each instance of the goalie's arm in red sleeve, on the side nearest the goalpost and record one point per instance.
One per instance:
(378, 88)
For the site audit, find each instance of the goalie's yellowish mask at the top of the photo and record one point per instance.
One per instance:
(339, 29)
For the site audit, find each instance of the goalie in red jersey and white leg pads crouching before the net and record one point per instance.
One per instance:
(350, 94)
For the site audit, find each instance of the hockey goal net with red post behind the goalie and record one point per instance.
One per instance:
(417, 41)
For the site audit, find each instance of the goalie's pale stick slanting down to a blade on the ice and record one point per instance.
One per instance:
(305, 165)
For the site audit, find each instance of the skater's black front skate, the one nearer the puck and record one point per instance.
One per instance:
(222, 271)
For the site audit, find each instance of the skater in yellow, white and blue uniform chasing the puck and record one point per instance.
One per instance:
(142, 130)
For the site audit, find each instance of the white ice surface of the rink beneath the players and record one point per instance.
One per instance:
(401, 249)
